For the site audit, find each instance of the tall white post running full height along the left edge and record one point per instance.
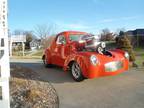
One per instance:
(4, 57)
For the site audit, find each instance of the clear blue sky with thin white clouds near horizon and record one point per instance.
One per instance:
(82, 15)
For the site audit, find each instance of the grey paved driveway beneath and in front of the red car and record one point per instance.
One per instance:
(125, 90)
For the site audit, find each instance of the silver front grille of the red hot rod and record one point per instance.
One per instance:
(113, 66)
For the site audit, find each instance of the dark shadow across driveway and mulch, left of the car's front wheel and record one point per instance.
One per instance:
(36, 71)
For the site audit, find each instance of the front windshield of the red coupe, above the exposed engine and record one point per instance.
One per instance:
(78, 37)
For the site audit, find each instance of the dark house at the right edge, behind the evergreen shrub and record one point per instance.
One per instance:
(136, 37)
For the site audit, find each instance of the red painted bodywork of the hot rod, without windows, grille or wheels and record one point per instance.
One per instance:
(65, 54)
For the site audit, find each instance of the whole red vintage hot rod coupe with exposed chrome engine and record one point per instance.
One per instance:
(84, 56)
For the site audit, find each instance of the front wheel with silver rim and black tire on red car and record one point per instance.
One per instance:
(76, 72)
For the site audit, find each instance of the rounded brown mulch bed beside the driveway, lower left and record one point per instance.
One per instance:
(28, 91)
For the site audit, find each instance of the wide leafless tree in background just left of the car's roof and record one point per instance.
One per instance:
(44, 31)
